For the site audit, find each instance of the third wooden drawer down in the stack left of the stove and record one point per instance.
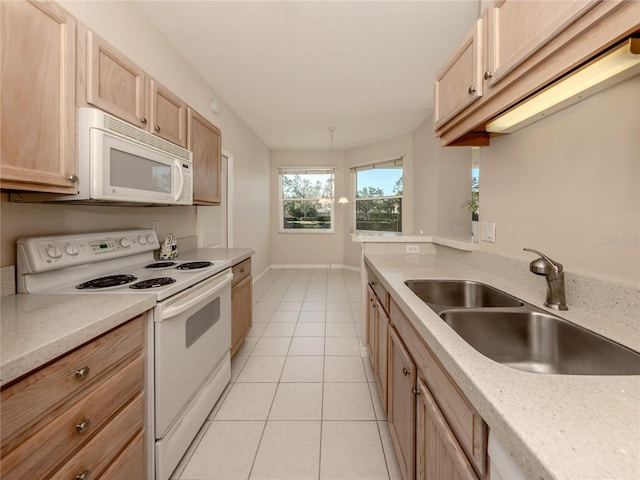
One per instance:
(104, 447)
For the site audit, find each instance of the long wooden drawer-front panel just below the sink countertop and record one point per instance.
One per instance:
(464, 420)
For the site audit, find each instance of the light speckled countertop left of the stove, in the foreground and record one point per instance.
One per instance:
(37, 328)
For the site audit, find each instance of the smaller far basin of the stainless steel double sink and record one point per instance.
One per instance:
(444, 294)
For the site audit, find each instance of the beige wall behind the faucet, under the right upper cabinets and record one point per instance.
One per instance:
(569, 186)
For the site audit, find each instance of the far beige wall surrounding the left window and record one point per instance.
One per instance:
(308, 248)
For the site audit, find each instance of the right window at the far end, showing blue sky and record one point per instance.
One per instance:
(378, 205)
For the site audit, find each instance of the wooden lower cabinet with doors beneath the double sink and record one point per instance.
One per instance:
(436, 432)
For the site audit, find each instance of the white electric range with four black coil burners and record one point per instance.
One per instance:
(188, 336)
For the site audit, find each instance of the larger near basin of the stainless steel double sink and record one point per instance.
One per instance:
(539, 342)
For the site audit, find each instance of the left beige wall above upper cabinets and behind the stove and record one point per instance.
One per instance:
(121, 25)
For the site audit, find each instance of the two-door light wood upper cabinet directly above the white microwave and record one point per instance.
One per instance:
(118, 86)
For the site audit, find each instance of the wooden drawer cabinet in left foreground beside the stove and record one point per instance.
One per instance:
(83, 414)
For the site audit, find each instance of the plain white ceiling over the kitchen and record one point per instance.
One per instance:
(292, 69)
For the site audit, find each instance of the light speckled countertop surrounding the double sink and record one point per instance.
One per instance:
(554, 426)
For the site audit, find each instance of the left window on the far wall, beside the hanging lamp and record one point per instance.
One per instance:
(306, 200)
